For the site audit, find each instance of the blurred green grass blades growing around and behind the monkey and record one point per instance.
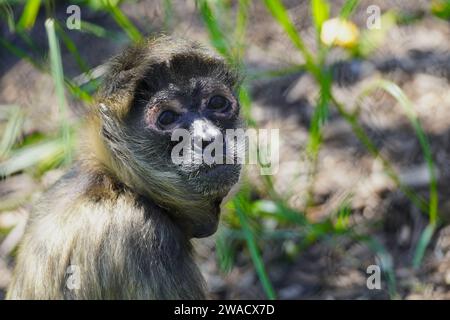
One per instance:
(227, 29)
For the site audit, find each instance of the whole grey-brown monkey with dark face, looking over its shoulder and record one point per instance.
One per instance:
(119, 223)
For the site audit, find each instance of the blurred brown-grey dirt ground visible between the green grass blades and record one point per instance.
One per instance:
(415, 56)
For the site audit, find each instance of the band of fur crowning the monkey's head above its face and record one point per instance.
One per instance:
(151, 63)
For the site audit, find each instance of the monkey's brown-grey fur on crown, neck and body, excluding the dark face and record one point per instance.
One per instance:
(122, 220)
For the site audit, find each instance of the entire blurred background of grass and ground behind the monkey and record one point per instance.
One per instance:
(358, 89)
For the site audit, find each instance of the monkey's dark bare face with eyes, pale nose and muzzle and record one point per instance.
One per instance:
(186, 124)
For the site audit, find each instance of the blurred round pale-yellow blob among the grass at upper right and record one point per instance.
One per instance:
(339, 32)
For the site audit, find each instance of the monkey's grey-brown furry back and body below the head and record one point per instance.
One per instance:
(90, 239)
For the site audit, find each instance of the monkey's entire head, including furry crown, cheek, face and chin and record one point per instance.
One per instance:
(165, 95)
